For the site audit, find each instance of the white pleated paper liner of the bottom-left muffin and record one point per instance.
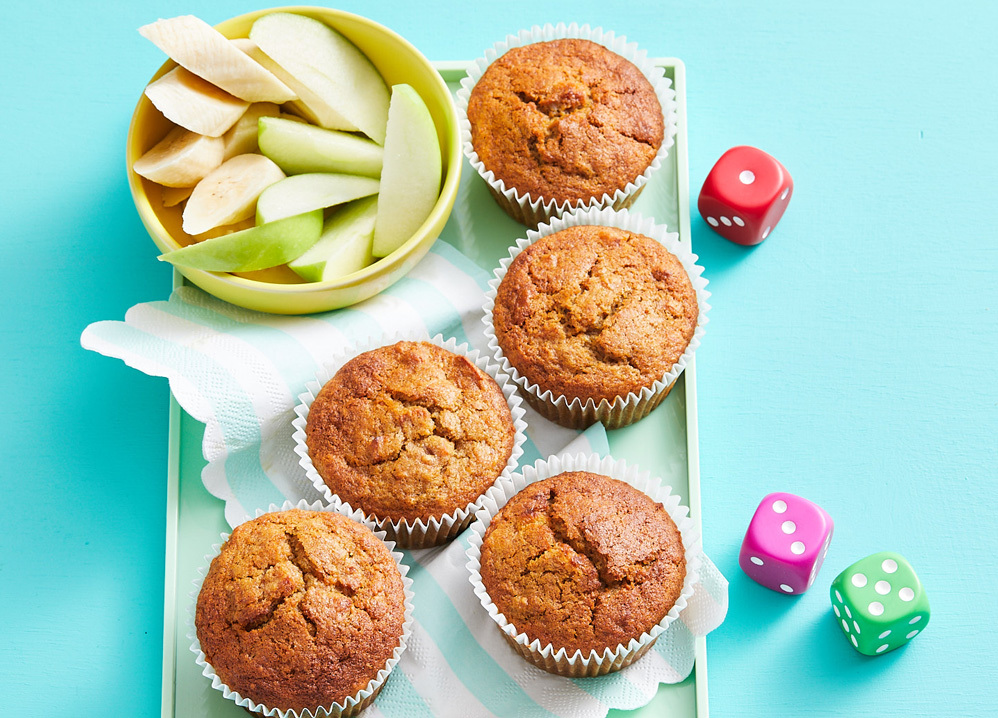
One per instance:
(350, 706)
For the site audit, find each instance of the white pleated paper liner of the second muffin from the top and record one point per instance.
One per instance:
(623, 410)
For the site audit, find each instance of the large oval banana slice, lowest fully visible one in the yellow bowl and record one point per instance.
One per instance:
(229, 193)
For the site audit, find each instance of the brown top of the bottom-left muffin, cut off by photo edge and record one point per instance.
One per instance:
(300, 609)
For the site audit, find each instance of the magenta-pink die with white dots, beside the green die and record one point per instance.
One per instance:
(786, 542)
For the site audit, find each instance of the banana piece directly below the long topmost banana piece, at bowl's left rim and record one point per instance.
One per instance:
(187, 100)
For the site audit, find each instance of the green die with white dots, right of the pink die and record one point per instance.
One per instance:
(879, 603)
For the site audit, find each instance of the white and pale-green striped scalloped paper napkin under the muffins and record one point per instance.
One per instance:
(240, 372)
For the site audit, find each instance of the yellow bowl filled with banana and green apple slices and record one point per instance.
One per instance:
(292, 160)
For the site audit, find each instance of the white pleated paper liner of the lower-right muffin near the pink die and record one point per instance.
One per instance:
(547, 656)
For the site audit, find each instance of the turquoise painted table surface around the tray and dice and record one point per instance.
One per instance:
(850, 358)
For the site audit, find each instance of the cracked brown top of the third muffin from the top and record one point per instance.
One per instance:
(410, 431)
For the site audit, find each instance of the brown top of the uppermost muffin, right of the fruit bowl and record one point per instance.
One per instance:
(565, 119)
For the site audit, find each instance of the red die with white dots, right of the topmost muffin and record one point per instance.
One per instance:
(745, 195)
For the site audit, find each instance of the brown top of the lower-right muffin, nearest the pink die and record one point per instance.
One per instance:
(583, 561)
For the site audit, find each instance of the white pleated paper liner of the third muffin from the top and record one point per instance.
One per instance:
(435, 530)
